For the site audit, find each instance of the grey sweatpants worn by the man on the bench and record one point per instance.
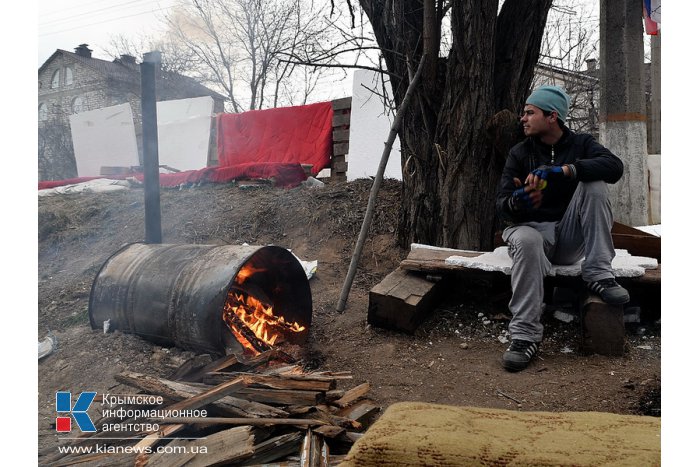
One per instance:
(584, 231)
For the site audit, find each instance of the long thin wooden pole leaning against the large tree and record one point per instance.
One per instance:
(340, 307)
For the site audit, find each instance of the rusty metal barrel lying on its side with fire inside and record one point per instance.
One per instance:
(175, 294)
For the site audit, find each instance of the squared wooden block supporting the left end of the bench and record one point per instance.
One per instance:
(401, 301)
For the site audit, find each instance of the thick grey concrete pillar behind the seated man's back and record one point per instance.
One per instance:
(622, 105)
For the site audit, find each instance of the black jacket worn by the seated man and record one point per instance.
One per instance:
(592, 161)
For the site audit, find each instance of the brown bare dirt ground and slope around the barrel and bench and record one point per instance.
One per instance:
(453, 358)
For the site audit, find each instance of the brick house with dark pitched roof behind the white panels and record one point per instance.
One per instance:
(73, 82)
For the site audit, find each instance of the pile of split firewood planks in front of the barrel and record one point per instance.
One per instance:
(259, 410)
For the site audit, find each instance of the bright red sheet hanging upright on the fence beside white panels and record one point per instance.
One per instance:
(302, 134)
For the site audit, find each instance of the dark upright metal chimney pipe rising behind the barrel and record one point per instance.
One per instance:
(149, 125)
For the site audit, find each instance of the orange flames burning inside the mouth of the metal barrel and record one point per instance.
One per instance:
(258, 318)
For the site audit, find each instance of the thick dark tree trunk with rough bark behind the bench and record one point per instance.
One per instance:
(451, 161)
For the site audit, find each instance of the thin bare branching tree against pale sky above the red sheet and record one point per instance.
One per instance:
(238, 47)
